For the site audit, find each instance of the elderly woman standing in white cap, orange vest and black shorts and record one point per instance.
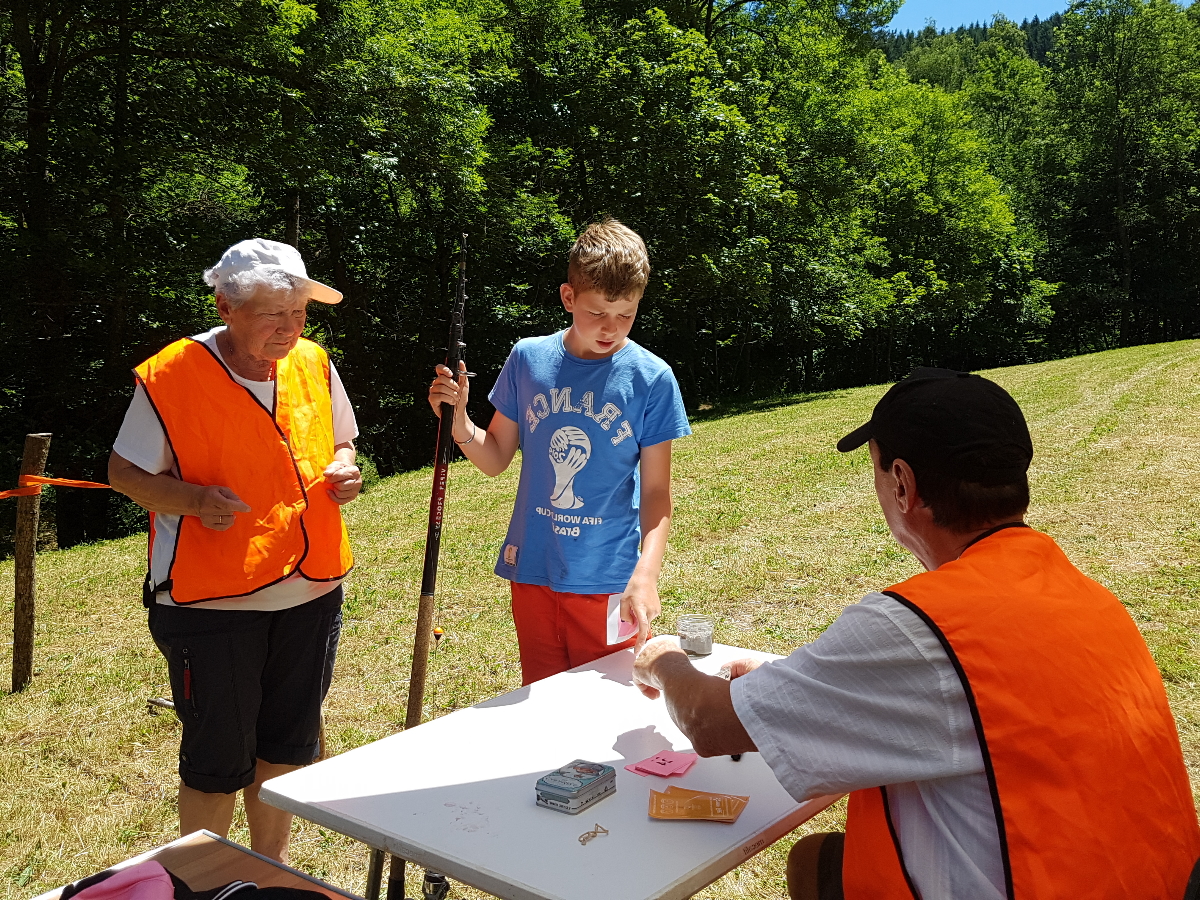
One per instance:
(241, 445)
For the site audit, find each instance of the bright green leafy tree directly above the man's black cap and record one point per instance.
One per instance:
(957, 275)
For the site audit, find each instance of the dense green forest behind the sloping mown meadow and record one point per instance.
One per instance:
(827, 203)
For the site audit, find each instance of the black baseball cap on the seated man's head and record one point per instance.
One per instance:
(953, 423)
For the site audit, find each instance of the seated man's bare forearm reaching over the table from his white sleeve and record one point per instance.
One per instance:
(703, 707)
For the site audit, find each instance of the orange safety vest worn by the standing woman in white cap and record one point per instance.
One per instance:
(221, 435)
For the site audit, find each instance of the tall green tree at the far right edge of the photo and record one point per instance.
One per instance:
(1120, 181)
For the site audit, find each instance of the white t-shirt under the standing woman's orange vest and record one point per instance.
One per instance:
(143, 442)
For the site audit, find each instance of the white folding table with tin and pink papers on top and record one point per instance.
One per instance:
(457, 795)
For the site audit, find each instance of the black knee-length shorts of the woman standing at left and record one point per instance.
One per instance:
(248, 686)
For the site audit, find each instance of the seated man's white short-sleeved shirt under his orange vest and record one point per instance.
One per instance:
(877, 701)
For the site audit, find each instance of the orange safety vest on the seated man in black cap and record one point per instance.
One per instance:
(1083, 759)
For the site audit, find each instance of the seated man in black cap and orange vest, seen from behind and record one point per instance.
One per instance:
(998, 721)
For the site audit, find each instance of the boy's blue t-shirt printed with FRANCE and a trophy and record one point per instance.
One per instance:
(583, 423)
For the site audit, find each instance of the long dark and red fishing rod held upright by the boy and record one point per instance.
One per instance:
(437, 507)
